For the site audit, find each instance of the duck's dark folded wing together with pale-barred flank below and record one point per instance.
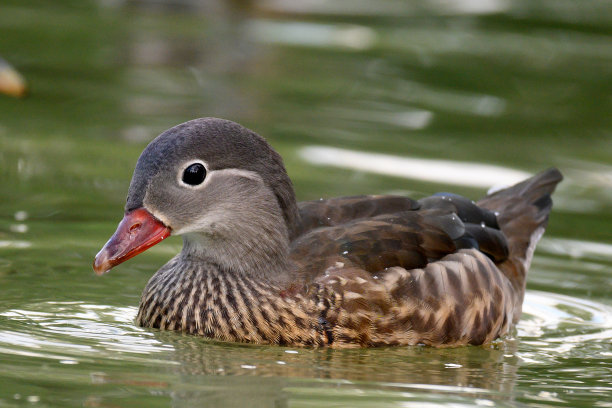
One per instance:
(422, 276)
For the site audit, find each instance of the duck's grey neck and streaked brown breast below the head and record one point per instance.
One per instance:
(233, 281)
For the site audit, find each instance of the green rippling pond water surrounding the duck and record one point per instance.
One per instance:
(519, 85)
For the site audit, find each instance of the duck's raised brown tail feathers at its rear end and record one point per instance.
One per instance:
(522, 214)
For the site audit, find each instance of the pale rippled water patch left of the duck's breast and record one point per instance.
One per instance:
(77, 331)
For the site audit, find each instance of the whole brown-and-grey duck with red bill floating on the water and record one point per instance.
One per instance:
(355, 271)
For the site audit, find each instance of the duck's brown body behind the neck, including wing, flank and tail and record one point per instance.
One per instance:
(441, 271)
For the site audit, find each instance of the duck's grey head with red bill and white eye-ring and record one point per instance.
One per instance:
(219, 185)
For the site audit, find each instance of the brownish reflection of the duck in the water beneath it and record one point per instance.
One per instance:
(274, 376)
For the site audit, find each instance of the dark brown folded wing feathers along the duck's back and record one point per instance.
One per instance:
(375, 238)
